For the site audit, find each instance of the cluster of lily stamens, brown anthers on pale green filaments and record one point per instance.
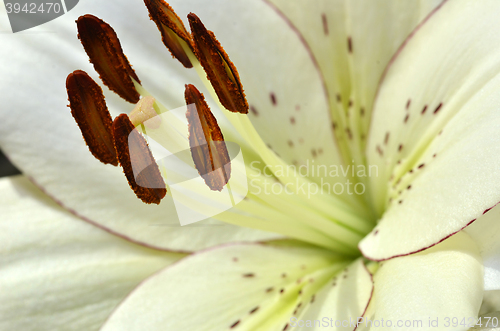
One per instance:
(249, 185)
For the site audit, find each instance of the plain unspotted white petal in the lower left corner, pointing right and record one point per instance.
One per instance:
(58, 272)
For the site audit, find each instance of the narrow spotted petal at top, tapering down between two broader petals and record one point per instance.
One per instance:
(352, 42)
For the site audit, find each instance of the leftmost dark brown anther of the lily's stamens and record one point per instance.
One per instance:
(89, 110)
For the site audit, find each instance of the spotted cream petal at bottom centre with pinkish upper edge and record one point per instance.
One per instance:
(249, 287)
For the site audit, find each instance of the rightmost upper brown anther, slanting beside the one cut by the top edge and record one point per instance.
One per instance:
(220, 70)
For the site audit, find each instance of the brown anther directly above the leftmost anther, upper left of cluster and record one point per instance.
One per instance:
(105, 52)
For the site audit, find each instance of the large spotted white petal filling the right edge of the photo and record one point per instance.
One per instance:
(444, 180)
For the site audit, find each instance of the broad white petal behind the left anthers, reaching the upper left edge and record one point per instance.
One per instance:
(39, 134)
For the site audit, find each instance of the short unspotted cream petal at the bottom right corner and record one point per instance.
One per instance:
(442, 282)
